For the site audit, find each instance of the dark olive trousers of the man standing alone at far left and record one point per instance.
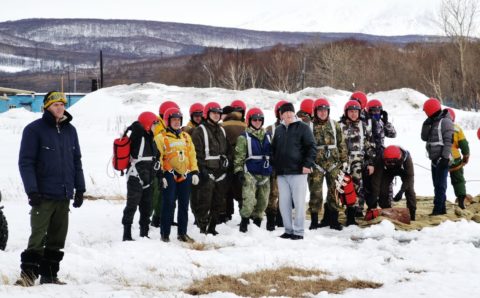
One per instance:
(49, 224)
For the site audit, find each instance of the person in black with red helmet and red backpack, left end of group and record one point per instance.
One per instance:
(140, 174)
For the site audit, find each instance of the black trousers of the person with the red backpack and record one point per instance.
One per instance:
(137, 196)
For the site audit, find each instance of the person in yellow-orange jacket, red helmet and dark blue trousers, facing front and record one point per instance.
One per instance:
(179, 166)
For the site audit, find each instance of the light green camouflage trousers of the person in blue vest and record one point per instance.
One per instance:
(255, 193)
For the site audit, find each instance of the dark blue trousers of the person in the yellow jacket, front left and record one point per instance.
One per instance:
(175, 191)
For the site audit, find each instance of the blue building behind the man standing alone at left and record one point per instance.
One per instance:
(33, 102)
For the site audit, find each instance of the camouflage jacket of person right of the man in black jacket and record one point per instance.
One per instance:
(330, 142)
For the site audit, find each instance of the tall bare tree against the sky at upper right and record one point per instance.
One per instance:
(458, 20)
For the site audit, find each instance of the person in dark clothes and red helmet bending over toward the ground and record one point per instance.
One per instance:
(394, 162)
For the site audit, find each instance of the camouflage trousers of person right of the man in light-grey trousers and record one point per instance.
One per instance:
(315, 184)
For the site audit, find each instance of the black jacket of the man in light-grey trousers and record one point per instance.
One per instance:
(293, 147)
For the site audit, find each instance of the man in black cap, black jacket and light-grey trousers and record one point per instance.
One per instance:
(294, 152)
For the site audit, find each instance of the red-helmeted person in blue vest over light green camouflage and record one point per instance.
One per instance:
(252, 168)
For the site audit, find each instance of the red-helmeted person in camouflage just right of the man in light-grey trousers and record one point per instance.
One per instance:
(331, 161)
